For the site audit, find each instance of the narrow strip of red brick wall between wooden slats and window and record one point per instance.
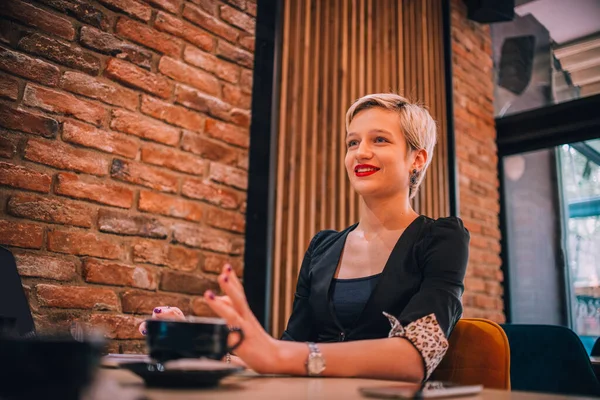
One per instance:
(477, 161)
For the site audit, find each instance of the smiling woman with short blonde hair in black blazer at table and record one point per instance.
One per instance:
(394, 267)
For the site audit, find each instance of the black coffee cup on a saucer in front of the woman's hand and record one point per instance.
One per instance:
(202, 337)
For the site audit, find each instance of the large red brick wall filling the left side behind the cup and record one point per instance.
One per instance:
(124, 129)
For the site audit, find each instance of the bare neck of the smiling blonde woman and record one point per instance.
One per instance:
(385, 214)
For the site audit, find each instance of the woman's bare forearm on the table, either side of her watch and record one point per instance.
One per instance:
(390, 358)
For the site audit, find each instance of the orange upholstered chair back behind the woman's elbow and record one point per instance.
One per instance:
(478, 353)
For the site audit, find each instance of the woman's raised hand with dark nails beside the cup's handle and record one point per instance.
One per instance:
(258, 349)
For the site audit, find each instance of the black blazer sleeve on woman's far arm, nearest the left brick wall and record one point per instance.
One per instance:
(301, 327)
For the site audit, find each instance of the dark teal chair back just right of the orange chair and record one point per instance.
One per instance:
(551, 359)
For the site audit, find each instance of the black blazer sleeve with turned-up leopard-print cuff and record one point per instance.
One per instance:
(431, 314)
